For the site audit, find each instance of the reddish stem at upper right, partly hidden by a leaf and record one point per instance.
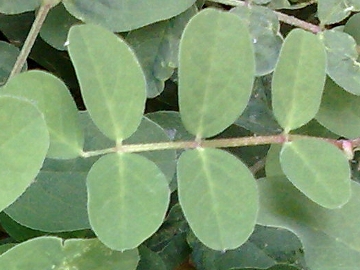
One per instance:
(281, 16)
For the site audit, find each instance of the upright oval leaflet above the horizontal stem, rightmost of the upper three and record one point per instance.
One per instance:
(298, 79)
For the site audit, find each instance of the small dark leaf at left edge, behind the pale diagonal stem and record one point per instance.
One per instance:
(8, 56)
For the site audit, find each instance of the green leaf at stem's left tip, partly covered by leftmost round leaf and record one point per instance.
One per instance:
(54, 100)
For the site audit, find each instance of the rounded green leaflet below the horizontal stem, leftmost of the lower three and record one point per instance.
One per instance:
(128, 197)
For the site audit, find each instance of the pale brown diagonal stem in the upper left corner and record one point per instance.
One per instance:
(30, 40)
